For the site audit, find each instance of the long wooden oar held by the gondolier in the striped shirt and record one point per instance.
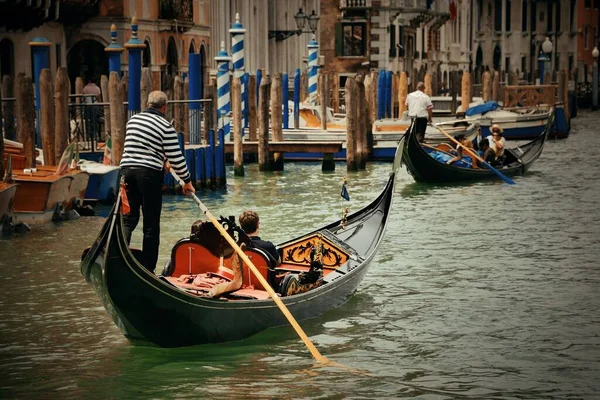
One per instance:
(313, 350)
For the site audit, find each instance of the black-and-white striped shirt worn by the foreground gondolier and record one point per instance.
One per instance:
(149, 140)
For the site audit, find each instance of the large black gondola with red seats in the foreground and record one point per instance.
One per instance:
(319, 271)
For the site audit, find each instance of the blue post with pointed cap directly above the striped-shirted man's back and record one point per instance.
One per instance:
(134, 47)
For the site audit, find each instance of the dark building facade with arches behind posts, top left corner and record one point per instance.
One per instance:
(80, 30)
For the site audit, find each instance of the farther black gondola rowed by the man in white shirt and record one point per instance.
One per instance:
(425, 168)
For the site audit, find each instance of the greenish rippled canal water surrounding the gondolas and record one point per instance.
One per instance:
(481, 290)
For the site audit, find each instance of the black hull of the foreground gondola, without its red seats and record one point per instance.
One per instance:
(150, 311)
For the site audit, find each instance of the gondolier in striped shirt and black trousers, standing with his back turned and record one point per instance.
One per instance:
(150, 140)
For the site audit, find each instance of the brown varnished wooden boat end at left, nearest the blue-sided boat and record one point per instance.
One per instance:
(39, 195)
